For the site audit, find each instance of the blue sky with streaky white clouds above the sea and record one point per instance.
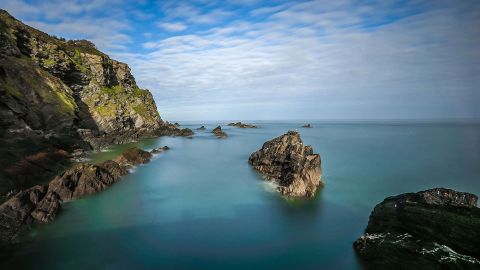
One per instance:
(284, 60)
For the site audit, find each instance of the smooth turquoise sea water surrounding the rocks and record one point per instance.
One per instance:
(200, 205)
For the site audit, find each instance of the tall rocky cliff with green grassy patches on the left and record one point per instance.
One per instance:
(57, 96)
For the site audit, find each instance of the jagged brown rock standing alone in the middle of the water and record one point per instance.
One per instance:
(293, 166)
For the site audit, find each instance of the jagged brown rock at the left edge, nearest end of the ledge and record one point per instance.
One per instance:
(26, 208)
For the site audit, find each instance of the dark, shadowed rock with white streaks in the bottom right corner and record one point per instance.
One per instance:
(433, 229)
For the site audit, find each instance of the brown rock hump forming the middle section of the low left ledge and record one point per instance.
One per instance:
(86, 179)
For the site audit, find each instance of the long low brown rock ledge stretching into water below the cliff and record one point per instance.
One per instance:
(41, 203)
